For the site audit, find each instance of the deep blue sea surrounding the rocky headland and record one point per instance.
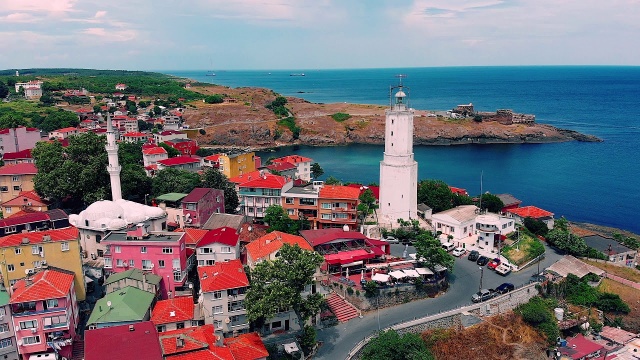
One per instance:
(584, 182)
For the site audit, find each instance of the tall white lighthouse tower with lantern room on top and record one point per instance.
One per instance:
(398, 169)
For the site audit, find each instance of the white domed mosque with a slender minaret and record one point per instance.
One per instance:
(104, 216)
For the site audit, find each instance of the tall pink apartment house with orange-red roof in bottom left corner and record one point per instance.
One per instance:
(45, 313)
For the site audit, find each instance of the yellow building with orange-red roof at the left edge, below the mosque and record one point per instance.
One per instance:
(30, 251)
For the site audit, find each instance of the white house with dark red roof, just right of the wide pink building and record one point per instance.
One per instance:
(218, 245)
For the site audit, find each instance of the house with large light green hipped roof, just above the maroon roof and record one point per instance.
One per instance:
(128, 305)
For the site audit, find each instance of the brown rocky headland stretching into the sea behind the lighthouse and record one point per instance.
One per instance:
(243, 121)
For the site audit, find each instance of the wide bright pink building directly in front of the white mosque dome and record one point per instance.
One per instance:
(161, 253)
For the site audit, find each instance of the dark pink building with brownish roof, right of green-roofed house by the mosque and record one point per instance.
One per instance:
(198, 206)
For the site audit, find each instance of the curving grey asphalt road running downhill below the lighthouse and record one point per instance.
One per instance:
(464, 281)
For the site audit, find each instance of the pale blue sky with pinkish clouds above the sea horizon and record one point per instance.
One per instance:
(316, 34)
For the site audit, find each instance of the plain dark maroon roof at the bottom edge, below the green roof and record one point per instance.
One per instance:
(119, 342)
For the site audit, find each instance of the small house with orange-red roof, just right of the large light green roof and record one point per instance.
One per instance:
(176, 313)
